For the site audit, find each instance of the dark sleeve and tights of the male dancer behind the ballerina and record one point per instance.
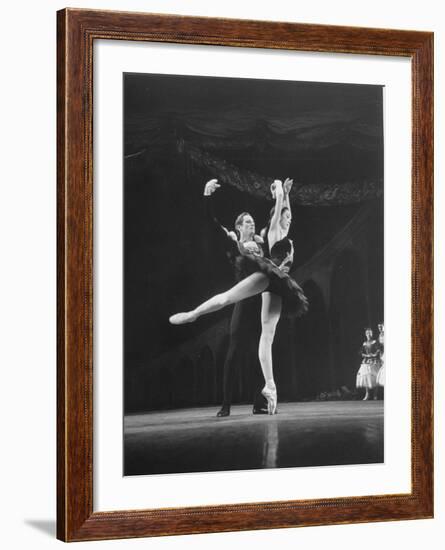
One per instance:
(245, 323)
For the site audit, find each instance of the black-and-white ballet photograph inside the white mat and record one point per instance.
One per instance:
(253, 288)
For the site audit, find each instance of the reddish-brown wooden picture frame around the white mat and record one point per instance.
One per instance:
(77, 31)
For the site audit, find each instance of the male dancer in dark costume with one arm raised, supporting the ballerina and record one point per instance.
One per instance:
(245, 325)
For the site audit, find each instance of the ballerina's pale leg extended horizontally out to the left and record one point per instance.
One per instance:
(250, 286)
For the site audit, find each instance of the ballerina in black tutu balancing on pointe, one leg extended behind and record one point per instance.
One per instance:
(268, 276)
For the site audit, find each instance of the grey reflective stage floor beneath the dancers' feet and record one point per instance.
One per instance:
(301, 434)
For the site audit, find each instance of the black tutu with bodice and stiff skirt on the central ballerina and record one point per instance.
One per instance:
(295, 302)
